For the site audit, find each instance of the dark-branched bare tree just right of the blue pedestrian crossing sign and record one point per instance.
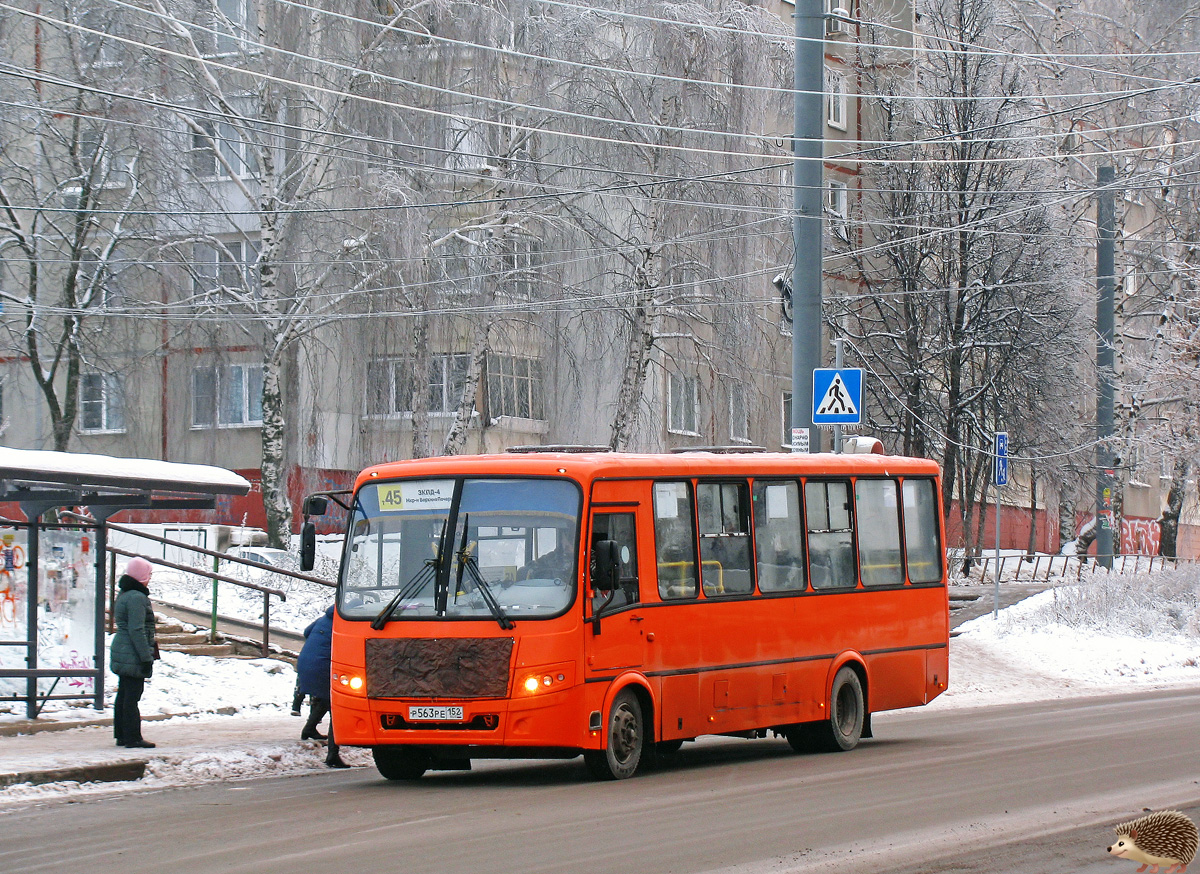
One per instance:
(971, 292)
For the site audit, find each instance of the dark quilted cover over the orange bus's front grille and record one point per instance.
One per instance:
(452, 668)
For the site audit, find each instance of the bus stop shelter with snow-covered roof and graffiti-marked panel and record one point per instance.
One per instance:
(53, 574)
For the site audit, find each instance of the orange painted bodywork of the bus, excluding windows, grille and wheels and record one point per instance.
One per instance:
(705, 666)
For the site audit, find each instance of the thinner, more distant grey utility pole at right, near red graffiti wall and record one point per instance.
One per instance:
(1106, 374)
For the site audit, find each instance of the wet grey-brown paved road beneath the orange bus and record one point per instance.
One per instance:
(934, 787)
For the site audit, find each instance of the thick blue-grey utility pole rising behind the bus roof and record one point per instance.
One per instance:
(808, 147)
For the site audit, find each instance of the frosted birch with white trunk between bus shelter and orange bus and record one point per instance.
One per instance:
(265, 97)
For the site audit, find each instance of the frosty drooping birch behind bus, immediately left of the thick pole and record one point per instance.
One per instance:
(641, 173)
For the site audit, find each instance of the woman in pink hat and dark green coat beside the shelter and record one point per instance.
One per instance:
(134, 651)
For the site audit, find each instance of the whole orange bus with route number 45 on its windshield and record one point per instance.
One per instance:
(549, 604)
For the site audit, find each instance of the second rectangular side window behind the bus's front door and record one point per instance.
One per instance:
(724, 538)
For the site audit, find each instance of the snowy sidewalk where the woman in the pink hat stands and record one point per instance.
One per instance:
(191, 750)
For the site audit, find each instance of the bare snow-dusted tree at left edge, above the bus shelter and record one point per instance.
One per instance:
(76, 179)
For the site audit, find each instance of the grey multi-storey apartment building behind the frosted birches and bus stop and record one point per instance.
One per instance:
(453, 243)
